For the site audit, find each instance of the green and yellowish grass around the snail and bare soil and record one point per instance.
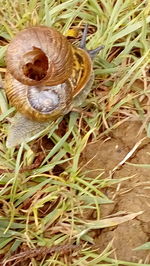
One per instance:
(45, 194)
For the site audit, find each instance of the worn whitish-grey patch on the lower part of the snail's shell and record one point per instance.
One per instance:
(43, 101)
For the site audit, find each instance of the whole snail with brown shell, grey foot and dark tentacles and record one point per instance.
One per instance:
(46, 78)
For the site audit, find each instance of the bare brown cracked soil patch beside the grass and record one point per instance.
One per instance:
(129, 196)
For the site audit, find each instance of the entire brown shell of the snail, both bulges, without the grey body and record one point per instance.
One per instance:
(39, 58)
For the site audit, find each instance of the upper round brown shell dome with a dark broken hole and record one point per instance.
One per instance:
(40, 55)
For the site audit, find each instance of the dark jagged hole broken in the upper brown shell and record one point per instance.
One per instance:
(35, 64)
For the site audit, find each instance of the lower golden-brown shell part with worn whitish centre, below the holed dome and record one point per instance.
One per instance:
(39, 103)
